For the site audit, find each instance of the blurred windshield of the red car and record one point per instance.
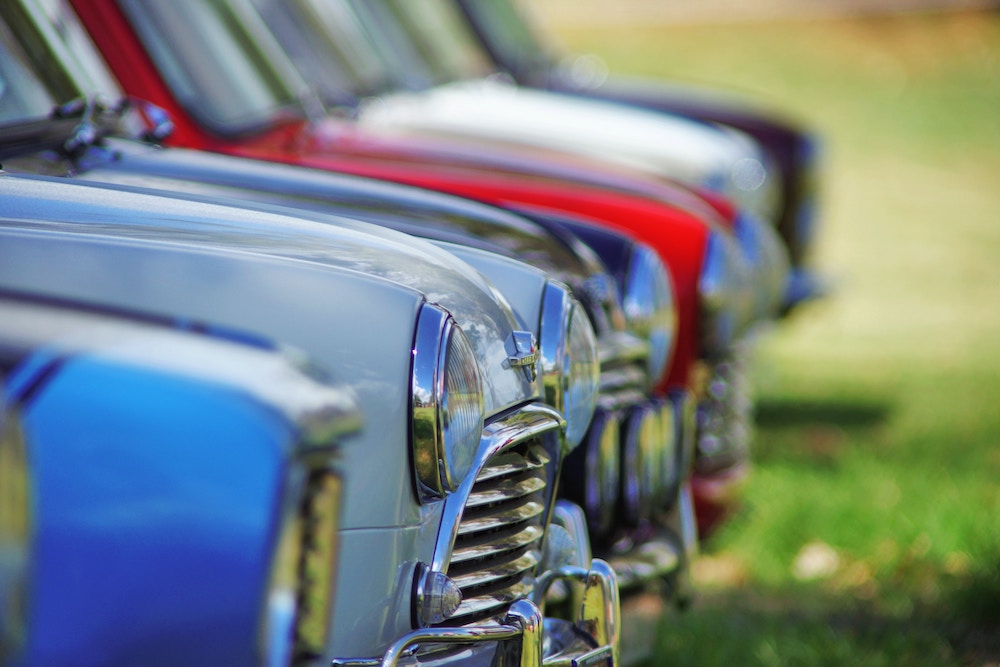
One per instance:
(219, 59)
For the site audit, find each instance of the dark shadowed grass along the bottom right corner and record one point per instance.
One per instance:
(809, 627)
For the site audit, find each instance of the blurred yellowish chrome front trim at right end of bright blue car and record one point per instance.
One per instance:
(299, 598)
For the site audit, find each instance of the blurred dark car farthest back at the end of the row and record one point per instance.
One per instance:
(506, 35)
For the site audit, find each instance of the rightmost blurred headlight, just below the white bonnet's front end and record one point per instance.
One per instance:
(768, 262)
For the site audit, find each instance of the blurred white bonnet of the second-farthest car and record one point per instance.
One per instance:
(692, 152)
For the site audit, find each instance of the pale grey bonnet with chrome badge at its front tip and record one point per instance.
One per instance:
(479, 309)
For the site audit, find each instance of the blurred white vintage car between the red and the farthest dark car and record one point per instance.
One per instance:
(449, 96)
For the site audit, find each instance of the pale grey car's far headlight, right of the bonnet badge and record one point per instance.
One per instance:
(570, 368)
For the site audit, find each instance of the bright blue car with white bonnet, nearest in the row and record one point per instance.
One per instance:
(179, 483)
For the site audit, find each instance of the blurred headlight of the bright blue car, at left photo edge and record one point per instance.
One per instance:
(15, 526)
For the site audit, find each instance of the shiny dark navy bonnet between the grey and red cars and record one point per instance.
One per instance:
(423, 213)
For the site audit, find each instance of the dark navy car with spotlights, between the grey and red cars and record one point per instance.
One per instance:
(649, 429)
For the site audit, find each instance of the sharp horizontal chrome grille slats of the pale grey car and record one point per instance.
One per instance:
(498, 545)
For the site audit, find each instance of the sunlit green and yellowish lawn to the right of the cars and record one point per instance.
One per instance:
(871, 530)
